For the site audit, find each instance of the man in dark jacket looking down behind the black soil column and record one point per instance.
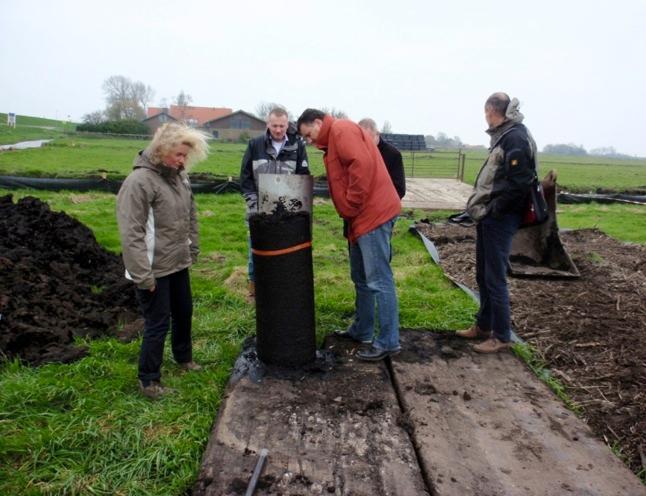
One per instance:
(279, 151)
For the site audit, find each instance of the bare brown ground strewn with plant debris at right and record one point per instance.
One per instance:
(591, 331)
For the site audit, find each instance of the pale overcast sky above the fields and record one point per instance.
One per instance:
(578, 67)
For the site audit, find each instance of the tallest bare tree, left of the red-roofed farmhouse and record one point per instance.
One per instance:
(126, 99)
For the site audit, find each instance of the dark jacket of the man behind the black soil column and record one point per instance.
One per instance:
(260, 158)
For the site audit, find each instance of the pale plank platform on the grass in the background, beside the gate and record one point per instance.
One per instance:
(436, 194)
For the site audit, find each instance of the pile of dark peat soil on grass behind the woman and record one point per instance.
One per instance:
(56, 283)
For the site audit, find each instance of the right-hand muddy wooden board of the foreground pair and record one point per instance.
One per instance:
(486, 425)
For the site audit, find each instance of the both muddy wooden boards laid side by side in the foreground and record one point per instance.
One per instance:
(442, 421)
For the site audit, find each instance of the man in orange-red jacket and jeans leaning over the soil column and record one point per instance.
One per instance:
(364, 195)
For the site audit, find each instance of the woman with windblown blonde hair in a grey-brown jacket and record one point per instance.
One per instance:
(159, 241)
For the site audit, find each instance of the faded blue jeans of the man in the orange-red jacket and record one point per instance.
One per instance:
(373, 281)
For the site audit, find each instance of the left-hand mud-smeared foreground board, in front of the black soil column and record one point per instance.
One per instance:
(333, 431)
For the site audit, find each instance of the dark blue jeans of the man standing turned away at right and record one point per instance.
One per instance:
(493, 245)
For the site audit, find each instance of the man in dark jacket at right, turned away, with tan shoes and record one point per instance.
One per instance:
(497, 204)
